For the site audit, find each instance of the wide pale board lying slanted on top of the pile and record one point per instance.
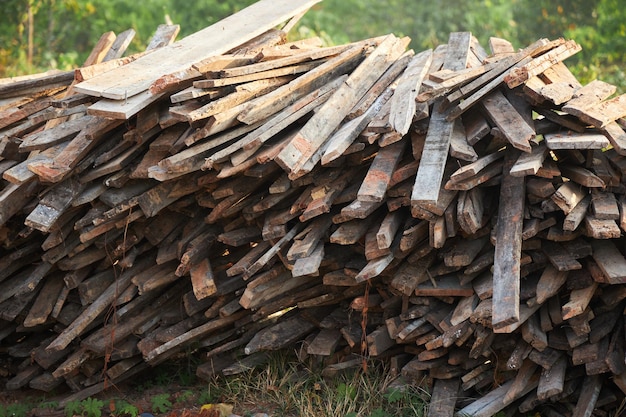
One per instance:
(177, 58)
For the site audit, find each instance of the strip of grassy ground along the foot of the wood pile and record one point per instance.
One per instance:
(285, 387)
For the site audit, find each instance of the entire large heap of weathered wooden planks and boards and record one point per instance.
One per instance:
(458, 213)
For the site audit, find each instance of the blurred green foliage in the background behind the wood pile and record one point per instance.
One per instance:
(65, 30)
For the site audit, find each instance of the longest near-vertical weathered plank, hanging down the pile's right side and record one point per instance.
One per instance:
(506, 268)
